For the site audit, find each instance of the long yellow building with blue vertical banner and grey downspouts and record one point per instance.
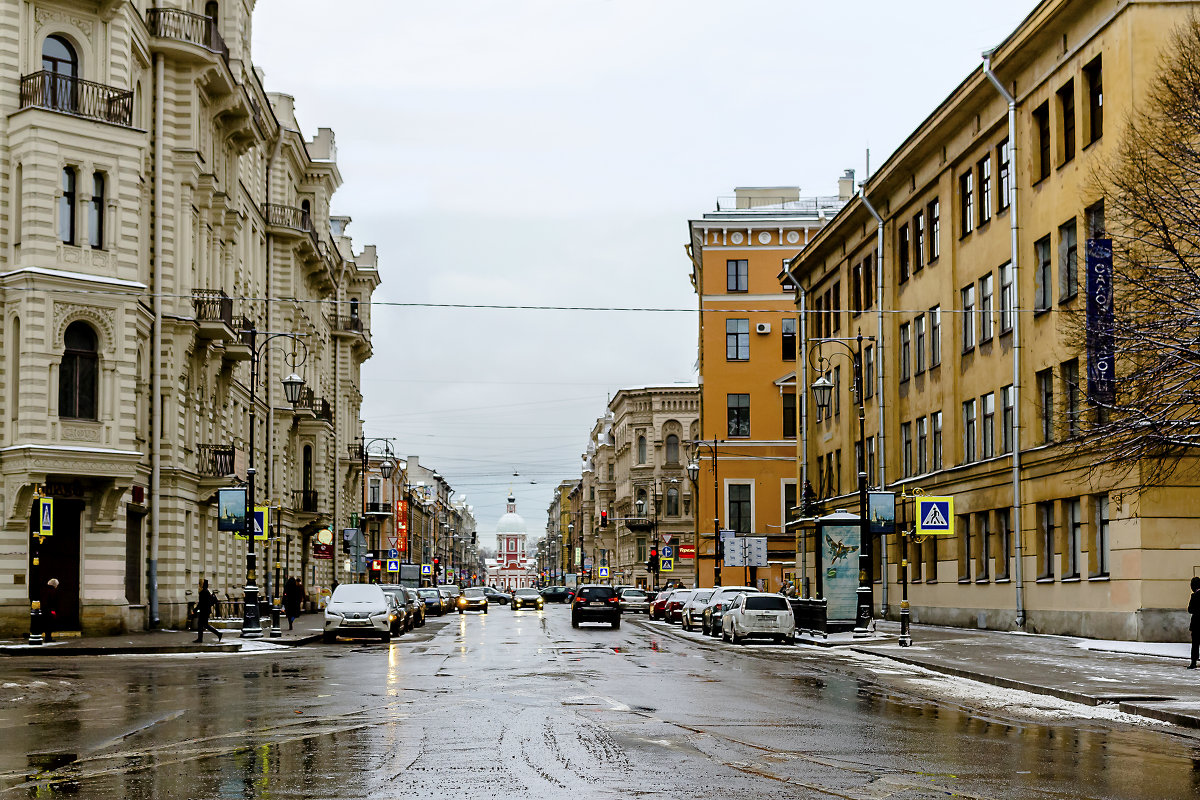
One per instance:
(973, 383)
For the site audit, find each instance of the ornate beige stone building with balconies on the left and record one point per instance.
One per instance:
(161, 218)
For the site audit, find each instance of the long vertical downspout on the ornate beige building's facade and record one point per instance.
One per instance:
(157, 351)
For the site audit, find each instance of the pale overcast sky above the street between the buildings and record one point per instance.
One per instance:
(551, 153)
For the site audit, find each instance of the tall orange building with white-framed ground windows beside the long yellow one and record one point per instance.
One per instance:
(748, 341)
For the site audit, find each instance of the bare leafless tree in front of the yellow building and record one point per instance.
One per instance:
(1150, 420)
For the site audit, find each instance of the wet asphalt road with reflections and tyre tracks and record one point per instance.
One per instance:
(521, 706)
